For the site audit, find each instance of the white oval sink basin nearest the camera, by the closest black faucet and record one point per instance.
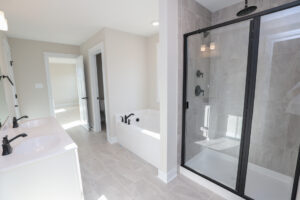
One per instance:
(36, 145)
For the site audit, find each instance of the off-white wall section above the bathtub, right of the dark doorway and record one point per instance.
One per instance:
(127, 72)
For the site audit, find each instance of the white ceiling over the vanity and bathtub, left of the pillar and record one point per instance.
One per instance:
(74, 21)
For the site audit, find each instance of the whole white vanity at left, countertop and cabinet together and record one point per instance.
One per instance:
(43, 165)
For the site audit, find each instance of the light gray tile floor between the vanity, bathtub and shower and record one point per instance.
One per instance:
(110, 172)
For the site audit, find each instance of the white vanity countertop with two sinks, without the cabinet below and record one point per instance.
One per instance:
(45, 139)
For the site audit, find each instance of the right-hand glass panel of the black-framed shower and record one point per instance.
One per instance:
(275, 135)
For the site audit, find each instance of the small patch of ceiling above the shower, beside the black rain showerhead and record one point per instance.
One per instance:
(214, 5)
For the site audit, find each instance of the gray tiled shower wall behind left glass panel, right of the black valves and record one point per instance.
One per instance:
(227, 78)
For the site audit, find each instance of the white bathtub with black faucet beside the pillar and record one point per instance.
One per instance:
(142, 136)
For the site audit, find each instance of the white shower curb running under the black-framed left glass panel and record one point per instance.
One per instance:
(209, 185)
